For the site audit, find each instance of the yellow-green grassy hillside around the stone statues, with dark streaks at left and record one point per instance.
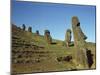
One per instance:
(31, 53)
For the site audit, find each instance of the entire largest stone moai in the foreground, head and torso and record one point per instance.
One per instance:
(79, 43)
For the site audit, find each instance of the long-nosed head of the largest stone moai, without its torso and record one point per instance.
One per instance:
(79, 37)
